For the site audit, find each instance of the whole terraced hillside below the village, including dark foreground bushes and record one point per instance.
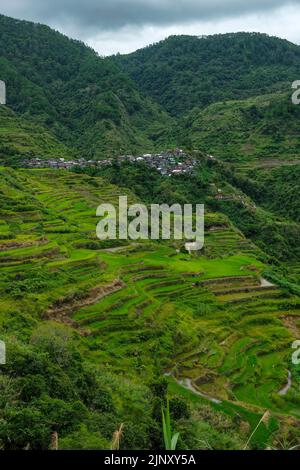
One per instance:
(135, 313)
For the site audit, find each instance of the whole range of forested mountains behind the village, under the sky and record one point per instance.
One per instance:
(226, 94)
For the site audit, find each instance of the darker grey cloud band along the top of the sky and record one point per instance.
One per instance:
(88, 16)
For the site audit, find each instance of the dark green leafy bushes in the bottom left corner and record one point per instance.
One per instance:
(47, 387)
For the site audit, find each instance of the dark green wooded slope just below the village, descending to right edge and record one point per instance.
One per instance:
(261, 214)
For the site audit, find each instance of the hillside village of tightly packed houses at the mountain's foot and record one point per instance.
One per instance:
(167, 163)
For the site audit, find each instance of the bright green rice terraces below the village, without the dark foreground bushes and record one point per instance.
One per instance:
(146, 309)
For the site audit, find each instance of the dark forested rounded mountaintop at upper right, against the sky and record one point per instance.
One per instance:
(184, 72)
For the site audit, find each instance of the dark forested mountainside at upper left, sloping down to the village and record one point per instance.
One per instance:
(85, 100)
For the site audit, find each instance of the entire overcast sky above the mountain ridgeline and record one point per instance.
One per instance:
(112, 26)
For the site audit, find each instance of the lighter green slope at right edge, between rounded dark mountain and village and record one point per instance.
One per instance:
(264, 128)
